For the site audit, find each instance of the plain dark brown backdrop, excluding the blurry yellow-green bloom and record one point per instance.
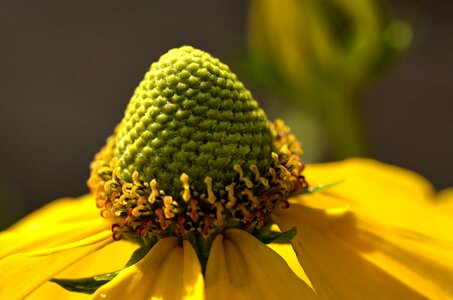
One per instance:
(68, 68)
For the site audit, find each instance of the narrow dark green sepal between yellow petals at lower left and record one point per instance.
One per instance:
(89, 285)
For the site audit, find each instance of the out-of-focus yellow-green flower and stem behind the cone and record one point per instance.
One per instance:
(317, 57)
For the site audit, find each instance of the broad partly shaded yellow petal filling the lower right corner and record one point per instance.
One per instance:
(348, 257)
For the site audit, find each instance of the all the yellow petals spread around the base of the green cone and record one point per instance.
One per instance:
(376, 234)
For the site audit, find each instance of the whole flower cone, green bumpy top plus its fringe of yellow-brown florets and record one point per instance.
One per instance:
(193, 153)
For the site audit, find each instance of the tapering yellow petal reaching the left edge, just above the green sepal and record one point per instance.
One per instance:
(23, 273)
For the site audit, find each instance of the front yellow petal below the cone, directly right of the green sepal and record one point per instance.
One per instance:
(168, 271)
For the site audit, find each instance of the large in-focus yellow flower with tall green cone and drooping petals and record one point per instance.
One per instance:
(200, 224)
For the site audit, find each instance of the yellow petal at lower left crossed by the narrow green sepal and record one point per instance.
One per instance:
(110, 258)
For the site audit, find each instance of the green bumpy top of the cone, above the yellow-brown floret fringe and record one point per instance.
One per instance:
(191, 115)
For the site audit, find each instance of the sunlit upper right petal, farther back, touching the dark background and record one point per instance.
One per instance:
(381, 193)
